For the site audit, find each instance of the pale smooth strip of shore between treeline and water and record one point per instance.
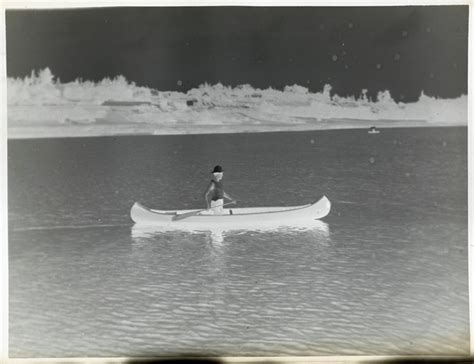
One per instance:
(101, 130)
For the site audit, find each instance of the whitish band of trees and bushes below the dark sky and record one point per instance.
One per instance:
(87, 101)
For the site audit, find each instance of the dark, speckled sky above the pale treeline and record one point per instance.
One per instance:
(402, 49)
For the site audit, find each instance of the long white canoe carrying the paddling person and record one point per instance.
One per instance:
(246, 216)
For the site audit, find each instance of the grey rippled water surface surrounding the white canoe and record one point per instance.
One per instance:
(385, 273)
